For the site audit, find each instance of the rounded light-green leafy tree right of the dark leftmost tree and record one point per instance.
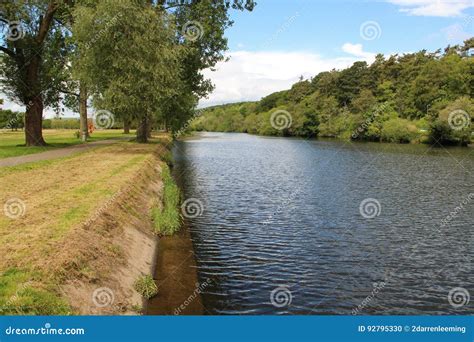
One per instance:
(133, 67)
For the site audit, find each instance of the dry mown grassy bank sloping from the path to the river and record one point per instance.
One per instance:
(74, 224)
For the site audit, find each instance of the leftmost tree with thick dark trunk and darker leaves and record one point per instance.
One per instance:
(33, 53)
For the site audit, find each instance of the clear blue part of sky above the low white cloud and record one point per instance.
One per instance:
(324, 26)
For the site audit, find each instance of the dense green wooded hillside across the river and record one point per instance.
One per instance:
(415, 97)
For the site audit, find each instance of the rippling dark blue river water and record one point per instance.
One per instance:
(293, 226)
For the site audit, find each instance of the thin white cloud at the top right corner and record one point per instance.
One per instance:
(434, 8)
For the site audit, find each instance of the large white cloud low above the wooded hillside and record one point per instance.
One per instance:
(249, 76)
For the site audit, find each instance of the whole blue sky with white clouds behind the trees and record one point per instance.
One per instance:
(281, 40)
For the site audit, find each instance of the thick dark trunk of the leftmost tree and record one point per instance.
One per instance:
(34, 123)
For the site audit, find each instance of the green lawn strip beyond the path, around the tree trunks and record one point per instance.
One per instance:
(13, 143)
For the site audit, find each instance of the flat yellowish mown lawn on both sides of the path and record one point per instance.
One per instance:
(43, 204)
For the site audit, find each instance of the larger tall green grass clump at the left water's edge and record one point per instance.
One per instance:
(167, 219)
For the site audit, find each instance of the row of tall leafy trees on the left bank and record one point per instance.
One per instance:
(136, 61)
